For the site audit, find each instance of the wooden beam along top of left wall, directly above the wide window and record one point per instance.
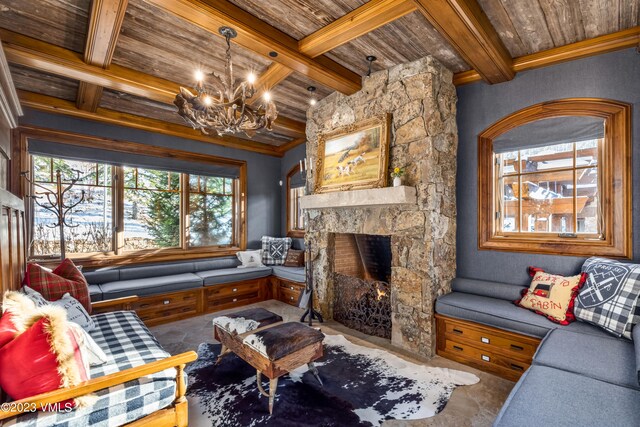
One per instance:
(103, 115)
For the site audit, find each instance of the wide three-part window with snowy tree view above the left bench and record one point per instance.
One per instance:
(160, 212)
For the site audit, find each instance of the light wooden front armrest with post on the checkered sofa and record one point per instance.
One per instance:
(95, 384)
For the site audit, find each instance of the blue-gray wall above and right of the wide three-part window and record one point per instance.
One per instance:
(263, 172)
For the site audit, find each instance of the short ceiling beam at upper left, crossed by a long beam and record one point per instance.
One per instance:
(105, 22)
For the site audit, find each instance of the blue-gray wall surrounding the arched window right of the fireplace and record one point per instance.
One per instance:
(614, 76)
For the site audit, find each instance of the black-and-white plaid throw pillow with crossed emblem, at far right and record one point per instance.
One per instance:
(609, 299)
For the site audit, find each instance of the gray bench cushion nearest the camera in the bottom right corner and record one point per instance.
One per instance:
(550, 397)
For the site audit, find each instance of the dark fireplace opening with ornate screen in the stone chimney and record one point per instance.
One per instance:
(362, 270)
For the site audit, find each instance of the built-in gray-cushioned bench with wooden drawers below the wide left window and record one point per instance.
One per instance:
(173, 291)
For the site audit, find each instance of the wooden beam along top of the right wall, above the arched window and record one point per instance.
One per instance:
(582, 49)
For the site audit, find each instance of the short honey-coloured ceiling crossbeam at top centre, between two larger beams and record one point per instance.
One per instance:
(363, 20)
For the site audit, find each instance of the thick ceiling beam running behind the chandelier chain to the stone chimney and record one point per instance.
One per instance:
(262, 38)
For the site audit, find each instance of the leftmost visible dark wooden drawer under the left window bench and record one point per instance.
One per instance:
(167, 308)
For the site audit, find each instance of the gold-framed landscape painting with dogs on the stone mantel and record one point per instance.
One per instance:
(354, 156)
